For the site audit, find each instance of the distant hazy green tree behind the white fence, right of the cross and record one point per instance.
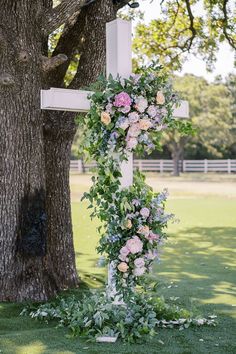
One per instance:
(210, 114)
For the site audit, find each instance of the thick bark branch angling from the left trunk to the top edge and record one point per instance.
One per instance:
(60, 14)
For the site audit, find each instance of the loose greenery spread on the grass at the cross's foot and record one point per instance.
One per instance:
(96, 315)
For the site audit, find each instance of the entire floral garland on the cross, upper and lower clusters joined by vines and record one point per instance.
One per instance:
(128, 115)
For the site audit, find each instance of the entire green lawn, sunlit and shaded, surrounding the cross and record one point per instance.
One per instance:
(196, 271)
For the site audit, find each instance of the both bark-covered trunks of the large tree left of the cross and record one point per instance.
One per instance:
(36, 242)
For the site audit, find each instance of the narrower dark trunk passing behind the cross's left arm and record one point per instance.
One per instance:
(59, 131)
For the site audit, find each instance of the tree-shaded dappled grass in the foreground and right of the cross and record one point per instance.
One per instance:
(197, 269)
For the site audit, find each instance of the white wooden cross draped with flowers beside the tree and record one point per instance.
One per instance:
(118, 61)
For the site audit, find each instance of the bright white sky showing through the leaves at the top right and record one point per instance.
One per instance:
(196, 66)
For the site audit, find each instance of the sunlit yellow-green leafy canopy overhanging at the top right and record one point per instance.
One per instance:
(186, 26)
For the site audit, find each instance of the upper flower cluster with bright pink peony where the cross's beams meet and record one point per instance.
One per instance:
(130, 114)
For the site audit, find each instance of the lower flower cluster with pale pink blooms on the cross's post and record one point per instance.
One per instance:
(134, 232)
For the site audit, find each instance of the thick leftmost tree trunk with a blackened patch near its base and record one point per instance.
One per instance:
(23, 230)
